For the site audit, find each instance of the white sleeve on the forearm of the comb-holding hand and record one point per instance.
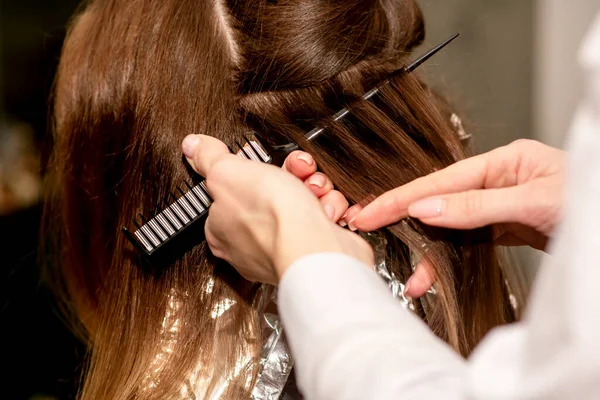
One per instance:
(351, 340)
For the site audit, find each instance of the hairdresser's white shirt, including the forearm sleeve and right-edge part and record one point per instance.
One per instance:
(352, 340)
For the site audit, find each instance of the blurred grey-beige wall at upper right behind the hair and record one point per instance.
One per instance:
(514, 71)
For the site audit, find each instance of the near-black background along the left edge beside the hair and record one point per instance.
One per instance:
(39, 357)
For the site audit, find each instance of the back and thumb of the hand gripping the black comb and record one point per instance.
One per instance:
(263, 218)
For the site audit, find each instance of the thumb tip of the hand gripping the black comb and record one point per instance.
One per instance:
(203, 151)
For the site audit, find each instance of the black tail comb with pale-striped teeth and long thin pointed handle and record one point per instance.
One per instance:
(180, 225)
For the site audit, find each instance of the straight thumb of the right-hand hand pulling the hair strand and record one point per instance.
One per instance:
(478, 208)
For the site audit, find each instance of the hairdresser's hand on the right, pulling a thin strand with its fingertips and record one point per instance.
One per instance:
(516, 188)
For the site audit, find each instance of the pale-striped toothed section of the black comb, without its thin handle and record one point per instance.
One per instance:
(185, 210)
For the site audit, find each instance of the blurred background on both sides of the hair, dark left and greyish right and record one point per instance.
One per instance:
(513, 74)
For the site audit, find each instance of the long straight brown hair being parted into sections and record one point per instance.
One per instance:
(136, 77)
